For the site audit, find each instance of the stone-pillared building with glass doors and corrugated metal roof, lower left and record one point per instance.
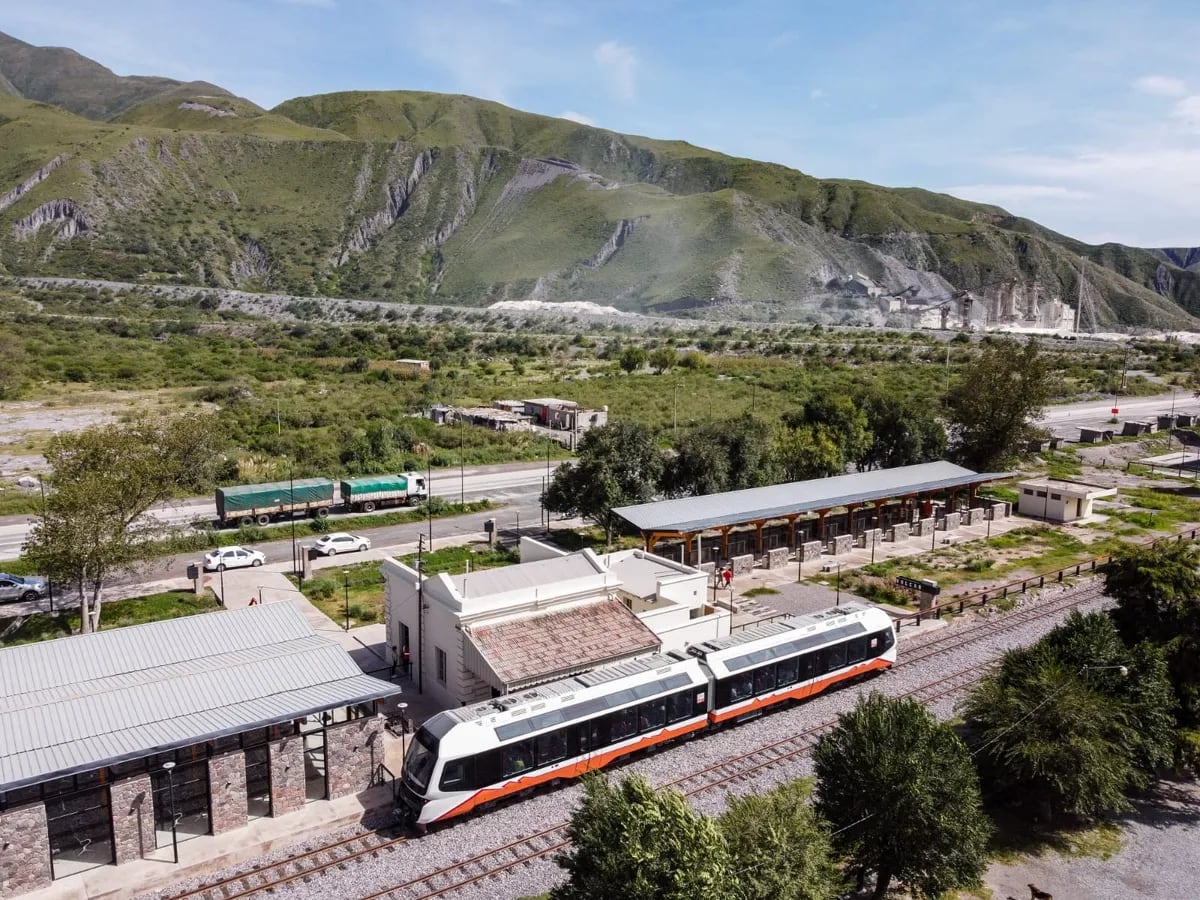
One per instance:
(207, 722)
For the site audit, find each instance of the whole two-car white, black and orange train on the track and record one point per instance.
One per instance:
(467, 760)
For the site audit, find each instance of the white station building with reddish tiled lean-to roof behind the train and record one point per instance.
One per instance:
(483, 634)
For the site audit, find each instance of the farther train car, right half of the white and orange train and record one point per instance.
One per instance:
(796, 658)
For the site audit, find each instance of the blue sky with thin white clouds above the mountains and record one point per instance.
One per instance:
(1082, 116)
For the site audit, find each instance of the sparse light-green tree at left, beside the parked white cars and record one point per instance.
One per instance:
(103, 482)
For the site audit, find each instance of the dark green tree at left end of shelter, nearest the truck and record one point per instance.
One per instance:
(619, 465)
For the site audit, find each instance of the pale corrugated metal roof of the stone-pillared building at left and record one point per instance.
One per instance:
(87, 701)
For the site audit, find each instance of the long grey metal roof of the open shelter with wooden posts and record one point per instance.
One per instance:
(695, 514)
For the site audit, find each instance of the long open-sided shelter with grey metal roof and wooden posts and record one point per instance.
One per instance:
(761, 519)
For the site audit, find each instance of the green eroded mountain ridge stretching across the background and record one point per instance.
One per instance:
(413, 197)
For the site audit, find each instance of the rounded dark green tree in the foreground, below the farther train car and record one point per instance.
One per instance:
(903, 796)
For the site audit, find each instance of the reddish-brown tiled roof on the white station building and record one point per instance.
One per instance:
(524, 652)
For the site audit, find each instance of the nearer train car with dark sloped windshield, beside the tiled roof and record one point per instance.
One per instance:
(465, 760)
